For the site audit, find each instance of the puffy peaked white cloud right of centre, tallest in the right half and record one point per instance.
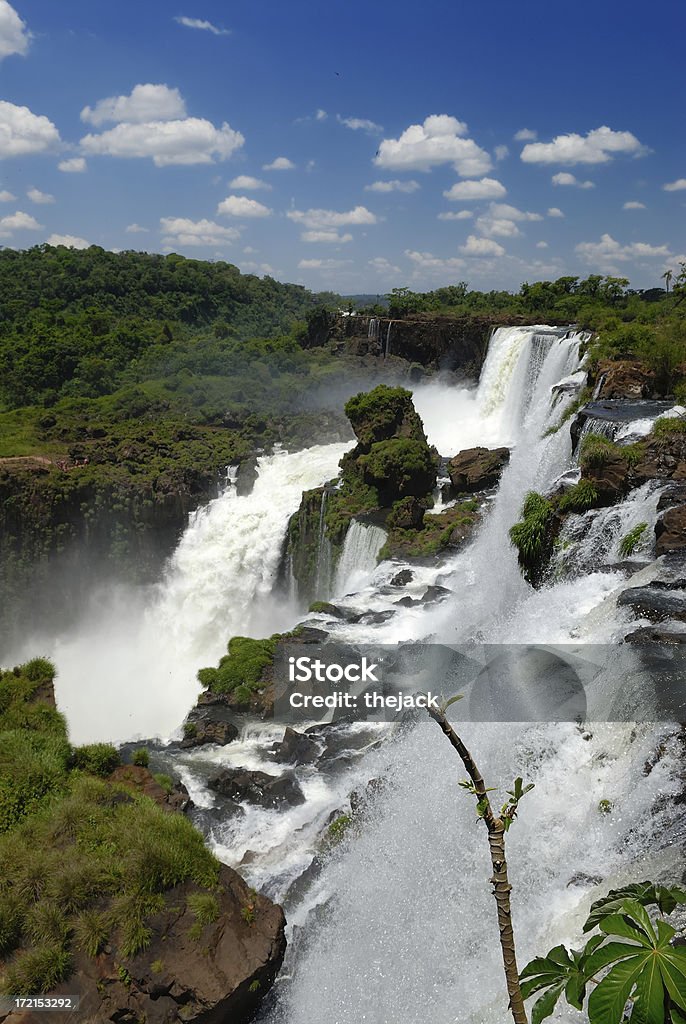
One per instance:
(439, 141)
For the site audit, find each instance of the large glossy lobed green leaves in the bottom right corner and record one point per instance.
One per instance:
(632, 969)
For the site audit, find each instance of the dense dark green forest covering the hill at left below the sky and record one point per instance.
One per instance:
(83, 323)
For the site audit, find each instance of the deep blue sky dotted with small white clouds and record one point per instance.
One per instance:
(350, 146)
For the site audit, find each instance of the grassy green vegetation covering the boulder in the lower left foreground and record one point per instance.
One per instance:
(84, 863)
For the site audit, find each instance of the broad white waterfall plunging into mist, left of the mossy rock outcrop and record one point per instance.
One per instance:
(137, 658)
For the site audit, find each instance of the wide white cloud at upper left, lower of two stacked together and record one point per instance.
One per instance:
(191, 142)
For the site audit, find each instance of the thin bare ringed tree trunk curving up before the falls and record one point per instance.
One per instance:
(500, 882)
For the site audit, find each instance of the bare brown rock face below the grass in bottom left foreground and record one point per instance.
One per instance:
(221, 975)
